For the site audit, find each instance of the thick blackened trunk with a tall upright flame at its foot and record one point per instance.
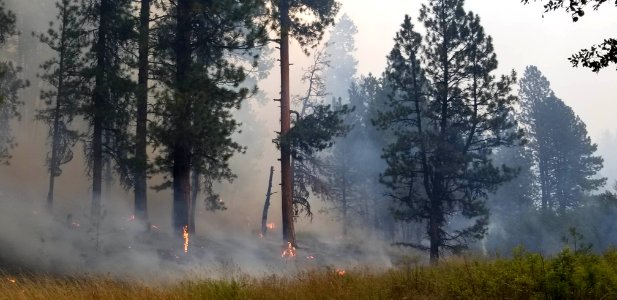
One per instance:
(181, 152)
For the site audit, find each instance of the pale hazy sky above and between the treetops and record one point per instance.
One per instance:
(522, 36)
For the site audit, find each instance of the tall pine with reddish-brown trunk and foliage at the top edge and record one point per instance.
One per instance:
(289, 17)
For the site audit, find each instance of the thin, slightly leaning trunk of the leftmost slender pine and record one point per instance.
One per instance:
(54, 160)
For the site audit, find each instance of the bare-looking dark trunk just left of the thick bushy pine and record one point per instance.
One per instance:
(141, 156)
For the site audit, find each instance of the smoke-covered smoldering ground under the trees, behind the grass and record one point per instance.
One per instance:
(35, 241)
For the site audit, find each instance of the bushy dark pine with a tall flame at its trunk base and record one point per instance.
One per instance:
(196, 55)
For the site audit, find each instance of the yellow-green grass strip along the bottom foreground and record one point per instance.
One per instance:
(567, 275)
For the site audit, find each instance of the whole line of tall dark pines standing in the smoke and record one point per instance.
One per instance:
(422, 155)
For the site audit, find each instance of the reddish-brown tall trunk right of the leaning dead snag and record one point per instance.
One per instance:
(289, 234)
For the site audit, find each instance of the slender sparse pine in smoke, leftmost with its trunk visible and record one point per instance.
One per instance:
(62, 73)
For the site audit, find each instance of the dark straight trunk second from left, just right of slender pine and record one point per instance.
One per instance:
(99, 110)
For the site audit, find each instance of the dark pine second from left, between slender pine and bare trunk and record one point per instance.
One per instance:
(108, 111)
